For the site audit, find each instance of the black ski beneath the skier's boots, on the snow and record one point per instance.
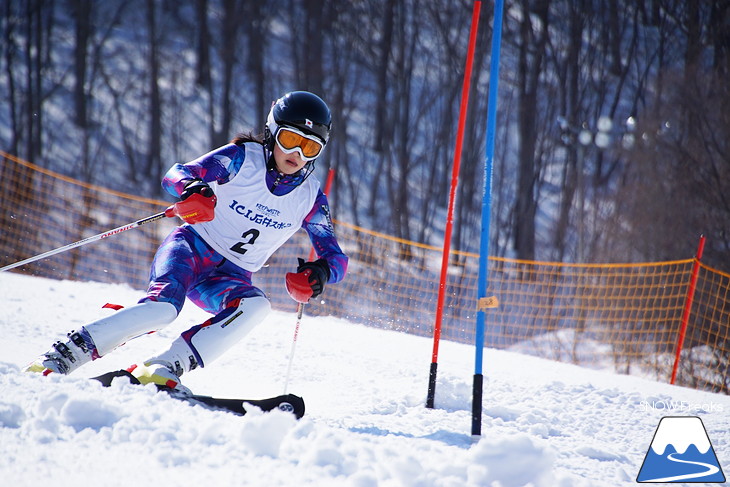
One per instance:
(288, 402)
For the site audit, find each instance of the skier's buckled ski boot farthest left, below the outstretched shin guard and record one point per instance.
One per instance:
(65, 357)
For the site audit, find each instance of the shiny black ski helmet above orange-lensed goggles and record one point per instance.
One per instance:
(302, 110)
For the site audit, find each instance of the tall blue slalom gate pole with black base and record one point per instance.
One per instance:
(482, 301)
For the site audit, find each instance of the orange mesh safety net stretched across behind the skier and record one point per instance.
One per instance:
(622, 317)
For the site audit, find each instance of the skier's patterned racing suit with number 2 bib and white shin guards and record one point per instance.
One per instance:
(211, 263)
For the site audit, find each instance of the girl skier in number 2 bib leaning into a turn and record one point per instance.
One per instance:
(240, 203)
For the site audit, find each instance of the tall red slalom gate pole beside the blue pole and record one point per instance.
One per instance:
(452, 198)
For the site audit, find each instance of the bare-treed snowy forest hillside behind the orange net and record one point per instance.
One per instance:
(613, 118)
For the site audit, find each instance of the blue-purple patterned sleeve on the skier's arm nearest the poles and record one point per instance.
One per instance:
(322, 234)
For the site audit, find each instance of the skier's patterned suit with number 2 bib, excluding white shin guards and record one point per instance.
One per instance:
(258, 210)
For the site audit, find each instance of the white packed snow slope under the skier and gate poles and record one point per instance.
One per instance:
(544, 423)
